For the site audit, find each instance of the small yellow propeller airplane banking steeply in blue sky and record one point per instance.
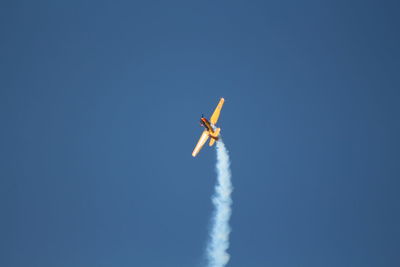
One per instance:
(211, 130)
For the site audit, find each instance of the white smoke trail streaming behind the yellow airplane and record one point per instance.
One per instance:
(219, 236)
